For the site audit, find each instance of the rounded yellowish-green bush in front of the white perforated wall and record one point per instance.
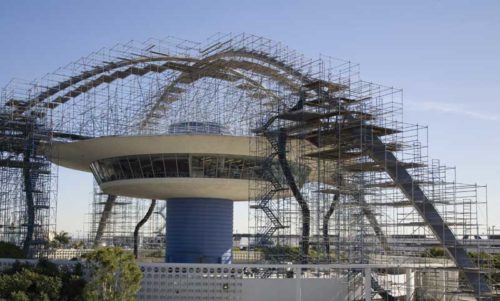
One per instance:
(114, 273)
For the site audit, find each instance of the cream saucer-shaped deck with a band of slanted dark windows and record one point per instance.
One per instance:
(165, 167)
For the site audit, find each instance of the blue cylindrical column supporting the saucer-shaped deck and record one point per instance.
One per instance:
(199, 230)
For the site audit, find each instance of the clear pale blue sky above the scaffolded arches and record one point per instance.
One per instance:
(444, 54)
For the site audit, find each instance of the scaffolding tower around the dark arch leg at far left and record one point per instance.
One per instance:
(27, 178)
